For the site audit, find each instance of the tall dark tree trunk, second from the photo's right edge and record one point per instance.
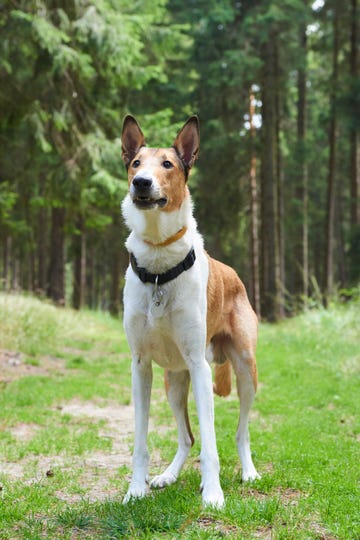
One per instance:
(330, 207)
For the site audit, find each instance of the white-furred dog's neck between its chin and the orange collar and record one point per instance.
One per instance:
(155, 227)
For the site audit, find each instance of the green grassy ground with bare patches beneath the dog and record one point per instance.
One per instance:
(66, 434)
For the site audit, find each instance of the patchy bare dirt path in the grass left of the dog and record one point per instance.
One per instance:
(99, 469)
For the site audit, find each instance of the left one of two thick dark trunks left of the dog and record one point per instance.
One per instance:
(56, 272)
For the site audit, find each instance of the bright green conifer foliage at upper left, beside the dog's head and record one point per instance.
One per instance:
(67, 71)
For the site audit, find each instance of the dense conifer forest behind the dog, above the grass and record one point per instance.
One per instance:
(276, 86)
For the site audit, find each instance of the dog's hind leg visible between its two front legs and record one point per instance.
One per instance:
(177, 386)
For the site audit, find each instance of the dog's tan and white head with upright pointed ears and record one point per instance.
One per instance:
(158, 176)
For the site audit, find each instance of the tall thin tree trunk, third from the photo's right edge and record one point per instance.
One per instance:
(301, 270)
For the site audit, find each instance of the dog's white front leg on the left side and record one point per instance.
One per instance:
(141, 391)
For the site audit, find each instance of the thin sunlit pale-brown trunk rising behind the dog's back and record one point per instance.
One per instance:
(254, 247)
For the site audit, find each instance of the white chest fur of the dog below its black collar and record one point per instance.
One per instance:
(154, 331)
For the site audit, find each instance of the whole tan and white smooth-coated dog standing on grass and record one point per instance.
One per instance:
(183, 310)
